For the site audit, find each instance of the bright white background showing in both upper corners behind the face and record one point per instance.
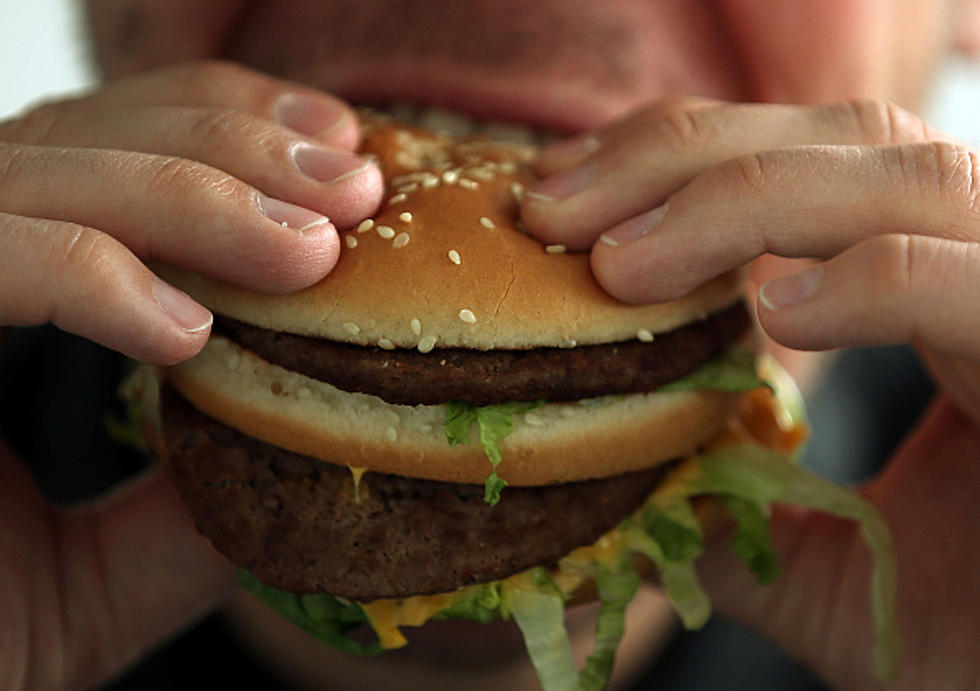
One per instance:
(42, 53)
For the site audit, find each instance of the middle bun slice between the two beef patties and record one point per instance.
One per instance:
(559, 442)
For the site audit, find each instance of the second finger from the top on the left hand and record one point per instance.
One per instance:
(331, 181)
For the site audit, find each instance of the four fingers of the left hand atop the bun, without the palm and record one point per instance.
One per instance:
(200, 165)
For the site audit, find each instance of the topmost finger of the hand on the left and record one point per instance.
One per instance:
(225, 85)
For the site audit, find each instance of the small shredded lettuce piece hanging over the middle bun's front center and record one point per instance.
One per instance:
(495, 422)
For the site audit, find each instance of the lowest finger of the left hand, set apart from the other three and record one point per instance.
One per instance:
(89, 284)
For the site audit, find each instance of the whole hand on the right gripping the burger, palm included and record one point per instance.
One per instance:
(685, 190)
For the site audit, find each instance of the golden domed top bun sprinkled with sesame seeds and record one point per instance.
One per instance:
(444, 264)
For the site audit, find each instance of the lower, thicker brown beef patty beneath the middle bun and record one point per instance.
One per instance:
(298, 523)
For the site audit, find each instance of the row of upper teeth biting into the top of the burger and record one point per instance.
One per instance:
(444, 121)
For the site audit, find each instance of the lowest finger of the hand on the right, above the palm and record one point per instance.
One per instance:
(887, 290)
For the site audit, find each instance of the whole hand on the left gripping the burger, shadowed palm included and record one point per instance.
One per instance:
(207, 166)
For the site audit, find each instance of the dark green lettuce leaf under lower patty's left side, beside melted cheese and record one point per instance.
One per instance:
(324, 617)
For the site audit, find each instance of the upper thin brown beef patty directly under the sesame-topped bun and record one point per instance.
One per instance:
(479, 377)
